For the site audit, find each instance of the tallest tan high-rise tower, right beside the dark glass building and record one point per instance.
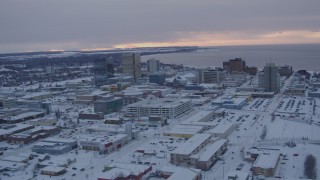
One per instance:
(132, 64)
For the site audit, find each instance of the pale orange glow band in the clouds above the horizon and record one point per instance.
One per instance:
(228, 39)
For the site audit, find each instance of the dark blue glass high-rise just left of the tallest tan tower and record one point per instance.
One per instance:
(103, 70)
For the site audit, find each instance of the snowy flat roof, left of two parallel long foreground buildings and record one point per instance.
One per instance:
(191, 144)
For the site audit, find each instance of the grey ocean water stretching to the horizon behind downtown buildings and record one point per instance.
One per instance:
(298, 56)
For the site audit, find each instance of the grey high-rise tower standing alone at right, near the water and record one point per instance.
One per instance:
(271, 78)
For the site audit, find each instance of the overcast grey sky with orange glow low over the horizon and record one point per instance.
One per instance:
(36, 25)
